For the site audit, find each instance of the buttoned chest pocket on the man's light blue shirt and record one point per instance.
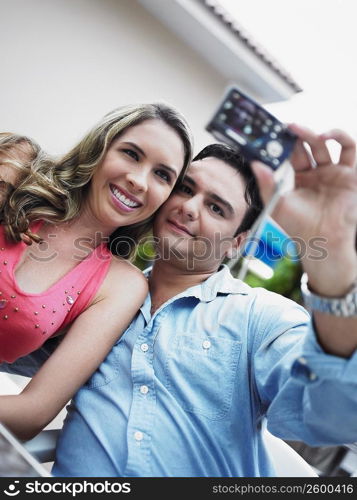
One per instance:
(200, 373)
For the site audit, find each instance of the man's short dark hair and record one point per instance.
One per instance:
(251, 194)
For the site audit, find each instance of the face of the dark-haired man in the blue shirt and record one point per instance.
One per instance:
(197, 224)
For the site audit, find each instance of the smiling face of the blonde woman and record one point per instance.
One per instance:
(136, 175)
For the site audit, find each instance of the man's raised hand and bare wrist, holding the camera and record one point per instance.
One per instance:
(322, 204)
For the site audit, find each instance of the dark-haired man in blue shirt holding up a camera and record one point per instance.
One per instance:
(185, 390)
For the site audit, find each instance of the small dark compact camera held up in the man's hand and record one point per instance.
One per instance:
(244, 124)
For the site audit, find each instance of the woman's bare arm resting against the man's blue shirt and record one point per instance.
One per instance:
(82, 350)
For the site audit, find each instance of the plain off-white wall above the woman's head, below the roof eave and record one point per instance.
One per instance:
(65, 63)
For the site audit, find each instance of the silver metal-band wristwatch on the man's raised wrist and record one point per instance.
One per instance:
(336, 306)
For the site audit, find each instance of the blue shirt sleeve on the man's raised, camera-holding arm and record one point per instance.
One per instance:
(305, 393)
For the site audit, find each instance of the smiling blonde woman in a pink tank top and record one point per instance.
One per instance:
(61, 223)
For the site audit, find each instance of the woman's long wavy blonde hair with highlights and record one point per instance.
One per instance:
(54, 190)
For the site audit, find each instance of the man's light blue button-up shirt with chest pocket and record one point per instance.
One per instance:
(184, 392)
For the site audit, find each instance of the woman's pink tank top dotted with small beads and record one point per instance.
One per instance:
(27, 320)
